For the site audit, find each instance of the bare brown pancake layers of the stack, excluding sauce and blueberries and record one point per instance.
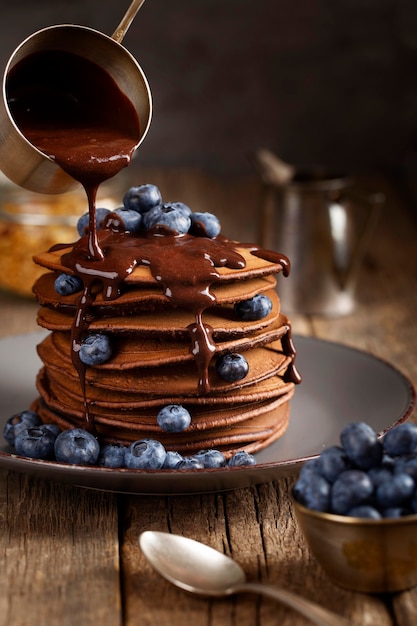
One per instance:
(153, 362)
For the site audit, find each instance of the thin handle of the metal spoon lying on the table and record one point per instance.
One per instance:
(314, 612)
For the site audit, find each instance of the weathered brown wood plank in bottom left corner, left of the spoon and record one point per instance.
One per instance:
(60, 560)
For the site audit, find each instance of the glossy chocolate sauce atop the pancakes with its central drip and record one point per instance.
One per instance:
(184, 265)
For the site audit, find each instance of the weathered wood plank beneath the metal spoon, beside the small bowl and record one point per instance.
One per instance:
(256, 526)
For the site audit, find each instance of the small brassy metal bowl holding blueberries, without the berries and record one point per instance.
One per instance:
(370, 556)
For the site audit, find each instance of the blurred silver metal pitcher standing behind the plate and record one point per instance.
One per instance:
(323, 225)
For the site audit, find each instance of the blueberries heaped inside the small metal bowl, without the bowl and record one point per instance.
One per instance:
(363, 477)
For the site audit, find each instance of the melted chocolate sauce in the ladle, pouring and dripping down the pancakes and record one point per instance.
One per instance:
(73, 111)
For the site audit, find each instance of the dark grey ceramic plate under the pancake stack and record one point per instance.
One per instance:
(340, 385)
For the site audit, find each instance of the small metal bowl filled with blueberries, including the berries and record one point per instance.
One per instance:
(356, 504)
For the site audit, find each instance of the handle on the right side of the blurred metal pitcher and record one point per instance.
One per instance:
(346, 262)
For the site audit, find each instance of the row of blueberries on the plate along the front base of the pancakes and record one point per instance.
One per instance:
(26, 433)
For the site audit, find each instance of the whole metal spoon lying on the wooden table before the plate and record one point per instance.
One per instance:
(197, 568)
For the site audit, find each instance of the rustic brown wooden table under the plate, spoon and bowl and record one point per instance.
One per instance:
(70, 556)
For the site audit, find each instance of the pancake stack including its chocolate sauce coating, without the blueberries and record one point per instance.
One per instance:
(167, 304)
